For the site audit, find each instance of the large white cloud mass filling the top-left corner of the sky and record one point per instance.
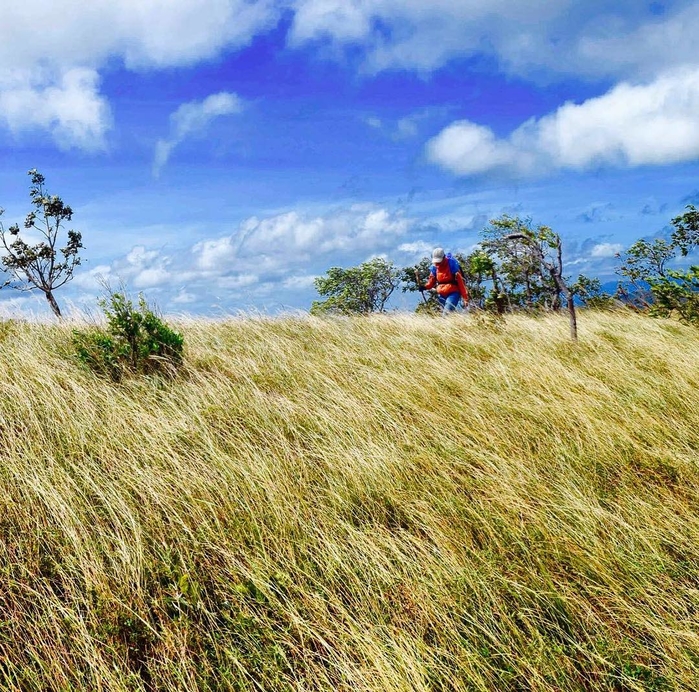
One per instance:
(49, 73)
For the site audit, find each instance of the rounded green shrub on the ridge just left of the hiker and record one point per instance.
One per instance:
(362, 289)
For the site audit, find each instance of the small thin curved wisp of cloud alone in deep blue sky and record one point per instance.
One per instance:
(192, 118)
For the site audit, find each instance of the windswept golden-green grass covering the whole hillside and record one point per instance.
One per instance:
(397, 503)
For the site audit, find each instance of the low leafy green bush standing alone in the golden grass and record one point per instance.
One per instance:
(135, 340)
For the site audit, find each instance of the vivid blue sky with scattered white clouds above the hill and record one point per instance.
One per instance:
(219, 155)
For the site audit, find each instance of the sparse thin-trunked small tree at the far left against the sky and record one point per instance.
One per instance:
(41, 266)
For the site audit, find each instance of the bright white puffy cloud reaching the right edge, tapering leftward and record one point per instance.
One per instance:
(631, 125)
